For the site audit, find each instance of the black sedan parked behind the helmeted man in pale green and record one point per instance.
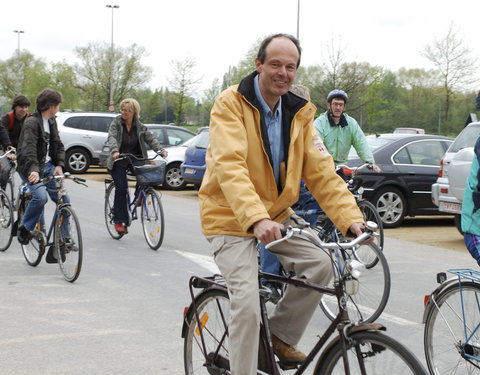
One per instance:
(410, 164)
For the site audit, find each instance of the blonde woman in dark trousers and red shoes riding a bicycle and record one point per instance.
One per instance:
(127, 135)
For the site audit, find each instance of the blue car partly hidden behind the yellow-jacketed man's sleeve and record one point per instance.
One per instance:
(193, 167)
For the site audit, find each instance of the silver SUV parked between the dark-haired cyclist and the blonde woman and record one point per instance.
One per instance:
(83, 135)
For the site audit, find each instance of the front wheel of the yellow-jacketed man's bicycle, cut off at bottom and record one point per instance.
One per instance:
(379, 353)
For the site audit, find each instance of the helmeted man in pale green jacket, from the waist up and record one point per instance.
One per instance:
(340, 132)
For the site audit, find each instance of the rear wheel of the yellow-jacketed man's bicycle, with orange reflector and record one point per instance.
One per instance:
(213, 307)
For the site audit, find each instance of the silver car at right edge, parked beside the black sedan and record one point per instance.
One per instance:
(447, 192)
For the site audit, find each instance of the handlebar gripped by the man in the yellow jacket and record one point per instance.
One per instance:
(290, 232)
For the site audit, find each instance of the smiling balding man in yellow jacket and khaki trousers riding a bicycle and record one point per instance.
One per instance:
(260, 148)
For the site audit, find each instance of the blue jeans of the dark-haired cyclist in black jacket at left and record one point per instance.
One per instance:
(34, 211)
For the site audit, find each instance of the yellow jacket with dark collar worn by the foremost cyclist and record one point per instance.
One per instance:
(239, 186)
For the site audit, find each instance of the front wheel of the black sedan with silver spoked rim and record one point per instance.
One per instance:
(391, 206)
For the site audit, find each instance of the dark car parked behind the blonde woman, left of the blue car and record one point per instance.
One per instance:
(175, 139)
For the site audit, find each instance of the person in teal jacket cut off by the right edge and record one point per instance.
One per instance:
(471, 207)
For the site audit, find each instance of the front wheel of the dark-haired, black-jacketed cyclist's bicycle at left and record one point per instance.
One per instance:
(68, 243)
